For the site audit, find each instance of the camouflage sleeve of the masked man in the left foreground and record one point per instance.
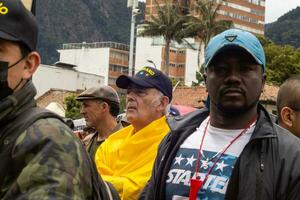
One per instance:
(52, 162)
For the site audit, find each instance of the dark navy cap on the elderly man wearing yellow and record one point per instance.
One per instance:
(148, 77)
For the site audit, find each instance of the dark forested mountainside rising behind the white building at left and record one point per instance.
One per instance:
(81, 20)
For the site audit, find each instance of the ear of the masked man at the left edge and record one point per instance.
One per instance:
(32, 61)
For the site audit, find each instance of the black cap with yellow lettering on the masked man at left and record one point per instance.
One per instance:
(17, 23)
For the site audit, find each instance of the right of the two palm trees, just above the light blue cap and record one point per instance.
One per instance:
(204, 25)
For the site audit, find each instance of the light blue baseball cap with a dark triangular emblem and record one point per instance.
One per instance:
(238, 39)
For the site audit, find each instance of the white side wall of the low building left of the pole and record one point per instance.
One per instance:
(89, 60)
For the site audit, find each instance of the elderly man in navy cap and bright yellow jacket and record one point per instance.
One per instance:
(126, 158)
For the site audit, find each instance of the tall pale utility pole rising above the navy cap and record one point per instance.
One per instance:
(133, 4)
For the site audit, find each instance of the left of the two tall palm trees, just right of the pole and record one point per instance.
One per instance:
(168, 23)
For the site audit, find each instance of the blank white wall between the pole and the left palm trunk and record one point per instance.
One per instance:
(146, 51)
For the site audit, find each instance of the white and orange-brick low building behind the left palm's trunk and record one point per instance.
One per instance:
(150, 52)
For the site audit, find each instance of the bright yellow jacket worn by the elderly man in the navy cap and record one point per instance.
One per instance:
(126, 159)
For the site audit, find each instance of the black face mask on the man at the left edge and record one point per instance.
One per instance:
(5, 90)
